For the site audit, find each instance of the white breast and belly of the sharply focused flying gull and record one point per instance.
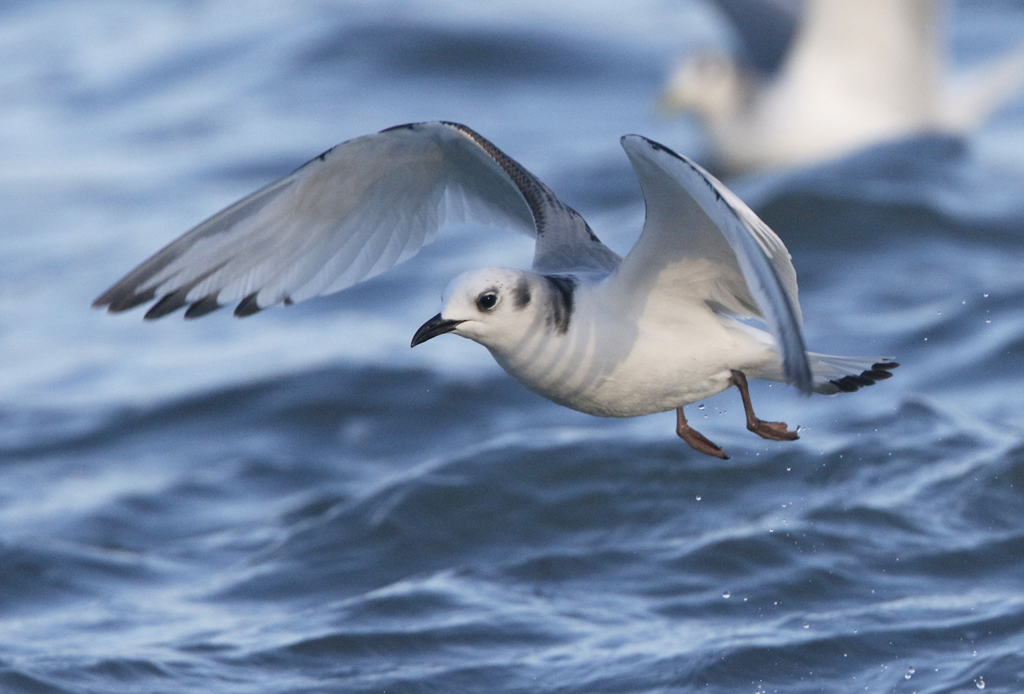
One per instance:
(628, 362)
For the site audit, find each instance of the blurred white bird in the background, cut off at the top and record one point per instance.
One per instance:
(818, 79)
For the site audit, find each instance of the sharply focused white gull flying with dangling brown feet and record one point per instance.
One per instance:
(661, 329)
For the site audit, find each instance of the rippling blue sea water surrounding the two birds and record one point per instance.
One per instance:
(300, 503)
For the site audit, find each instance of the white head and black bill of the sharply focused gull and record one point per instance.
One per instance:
(494, 307)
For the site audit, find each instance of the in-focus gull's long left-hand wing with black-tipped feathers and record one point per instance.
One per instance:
(352, 213)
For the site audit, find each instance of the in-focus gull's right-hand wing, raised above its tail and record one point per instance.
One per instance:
(702, 243)
